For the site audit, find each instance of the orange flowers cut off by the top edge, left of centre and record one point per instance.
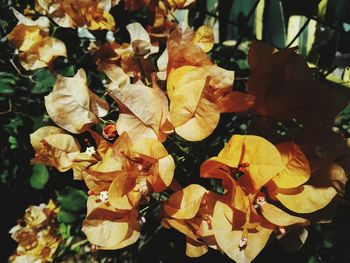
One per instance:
(82, 13)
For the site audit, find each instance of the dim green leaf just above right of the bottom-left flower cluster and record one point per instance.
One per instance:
(72, 199)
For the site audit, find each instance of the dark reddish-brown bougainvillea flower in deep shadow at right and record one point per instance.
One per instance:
(285, 89)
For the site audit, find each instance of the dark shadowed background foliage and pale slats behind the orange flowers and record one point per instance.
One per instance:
(321, 29)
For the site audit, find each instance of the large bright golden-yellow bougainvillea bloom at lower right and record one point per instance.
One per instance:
(253, 172)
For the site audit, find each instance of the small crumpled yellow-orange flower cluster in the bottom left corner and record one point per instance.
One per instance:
(36, 234)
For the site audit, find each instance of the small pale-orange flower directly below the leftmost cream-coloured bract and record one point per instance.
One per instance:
(54, 147)
